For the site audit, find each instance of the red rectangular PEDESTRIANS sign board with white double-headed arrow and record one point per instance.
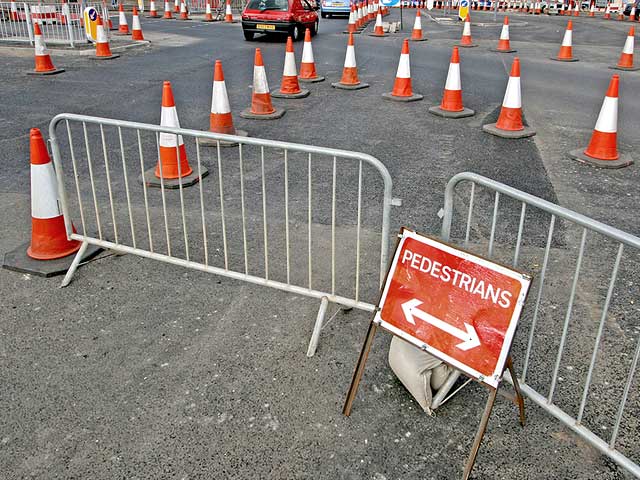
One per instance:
(459, 307)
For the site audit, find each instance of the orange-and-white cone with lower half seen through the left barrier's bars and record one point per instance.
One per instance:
(173, 169)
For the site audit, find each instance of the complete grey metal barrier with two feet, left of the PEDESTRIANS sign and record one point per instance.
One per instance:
(271, 213)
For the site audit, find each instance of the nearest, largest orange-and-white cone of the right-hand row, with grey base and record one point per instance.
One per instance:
(602, 150)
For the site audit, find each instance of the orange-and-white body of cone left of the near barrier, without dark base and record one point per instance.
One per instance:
(48, 233)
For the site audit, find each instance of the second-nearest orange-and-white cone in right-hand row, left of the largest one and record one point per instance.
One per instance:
(509, 124)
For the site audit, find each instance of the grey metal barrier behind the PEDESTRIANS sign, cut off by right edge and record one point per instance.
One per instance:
(583, 343)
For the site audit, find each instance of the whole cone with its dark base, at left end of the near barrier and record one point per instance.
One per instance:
(49, 251)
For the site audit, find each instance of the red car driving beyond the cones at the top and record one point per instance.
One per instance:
(290, 17)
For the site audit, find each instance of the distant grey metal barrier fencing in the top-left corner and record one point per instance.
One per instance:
(59, 23)
